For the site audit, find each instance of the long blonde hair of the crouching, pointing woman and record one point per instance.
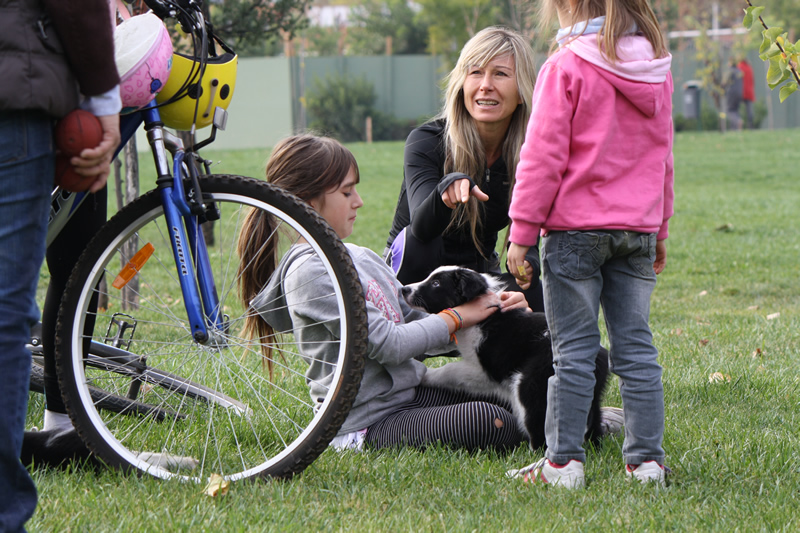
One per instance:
(464, 150)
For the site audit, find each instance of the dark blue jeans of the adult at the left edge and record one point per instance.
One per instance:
(26, 179)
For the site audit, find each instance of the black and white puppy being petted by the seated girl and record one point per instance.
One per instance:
(507, 355)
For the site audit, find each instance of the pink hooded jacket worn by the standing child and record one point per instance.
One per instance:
(598, 150)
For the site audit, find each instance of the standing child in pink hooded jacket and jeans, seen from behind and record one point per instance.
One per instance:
(595, 180)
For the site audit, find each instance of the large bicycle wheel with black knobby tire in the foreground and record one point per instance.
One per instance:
(283, 430)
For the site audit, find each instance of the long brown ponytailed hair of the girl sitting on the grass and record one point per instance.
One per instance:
(308, 167)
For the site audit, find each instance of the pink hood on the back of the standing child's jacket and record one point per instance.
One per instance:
(638, 74)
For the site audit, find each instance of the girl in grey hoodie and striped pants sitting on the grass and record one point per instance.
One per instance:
(391, 408)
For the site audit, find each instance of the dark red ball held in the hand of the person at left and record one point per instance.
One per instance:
(74, 133)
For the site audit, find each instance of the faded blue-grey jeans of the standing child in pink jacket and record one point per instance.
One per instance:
(582, 271)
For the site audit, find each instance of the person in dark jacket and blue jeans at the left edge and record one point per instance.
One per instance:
(51, 53)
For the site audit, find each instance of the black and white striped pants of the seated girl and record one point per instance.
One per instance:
(453, 419)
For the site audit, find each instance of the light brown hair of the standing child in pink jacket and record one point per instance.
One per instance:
(620, 15)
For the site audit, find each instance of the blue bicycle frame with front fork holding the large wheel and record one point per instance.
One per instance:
(197, 284)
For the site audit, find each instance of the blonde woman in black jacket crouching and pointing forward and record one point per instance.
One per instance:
(459, 168)
